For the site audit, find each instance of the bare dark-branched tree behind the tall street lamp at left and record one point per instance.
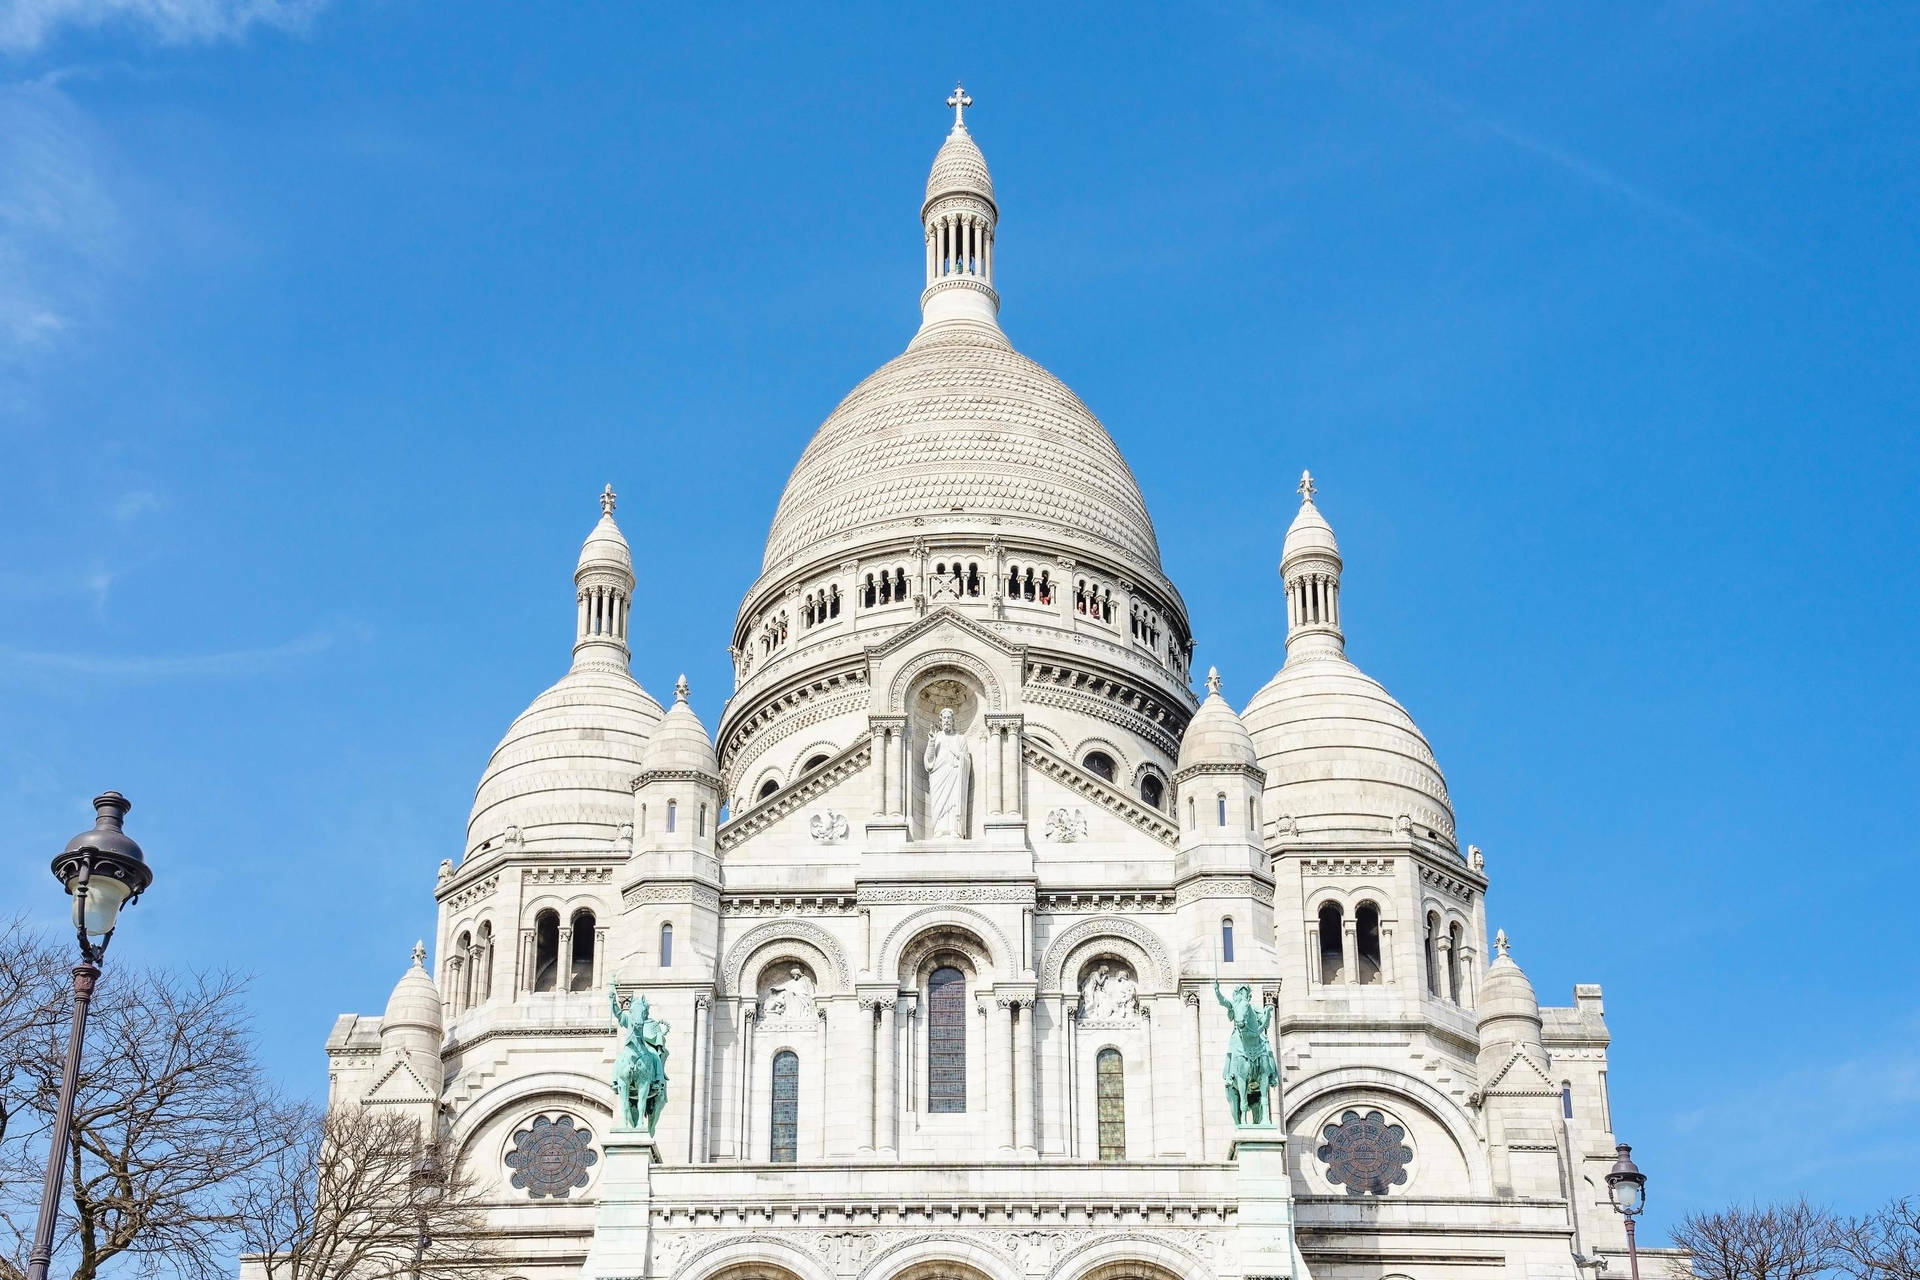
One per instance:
(170, 1110)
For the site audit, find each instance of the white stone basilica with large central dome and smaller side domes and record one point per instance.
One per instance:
(934, 918)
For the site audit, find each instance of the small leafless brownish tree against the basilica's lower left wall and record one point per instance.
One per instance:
(364, 1197)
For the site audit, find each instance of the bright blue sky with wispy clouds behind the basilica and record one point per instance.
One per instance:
(322, 325)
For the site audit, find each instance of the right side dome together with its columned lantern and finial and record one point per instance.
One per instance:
(1341, 755)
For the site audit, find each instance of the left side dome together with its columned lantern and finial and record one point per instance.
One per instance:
(564, 772)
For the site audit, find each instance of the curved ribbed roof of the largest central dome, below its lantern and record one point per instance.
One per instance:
(961, 423)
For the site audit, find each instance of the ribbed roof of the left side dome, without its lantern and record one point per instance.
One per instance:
(565, 769)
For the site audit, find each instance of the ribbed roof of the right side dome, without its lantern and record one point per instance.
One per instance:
(1341, 753)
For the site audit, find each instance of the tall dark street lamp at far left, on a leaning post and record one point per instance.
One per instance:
(103, 870)
